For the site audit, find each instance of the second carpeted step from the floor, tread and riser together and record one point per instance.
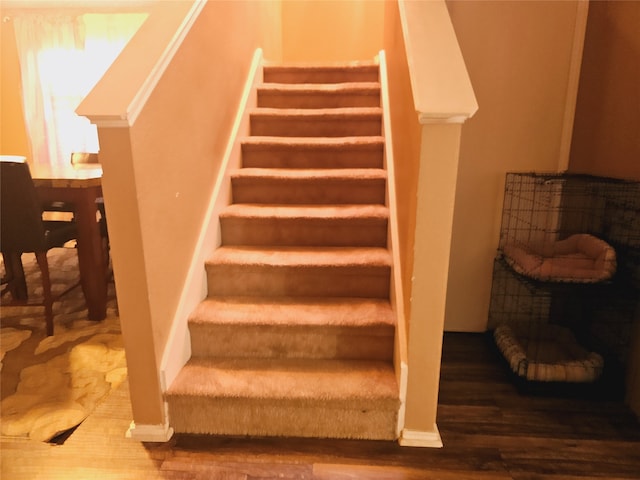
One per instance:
(290, 327)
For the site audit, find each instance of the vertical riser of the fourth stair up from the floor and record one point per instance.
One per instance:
(296, 232)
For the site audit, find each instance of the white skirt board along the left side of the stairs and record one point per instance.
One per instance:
(178, 349)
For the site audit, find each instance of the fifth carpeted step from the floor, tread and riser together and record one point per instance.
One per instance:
(309, 186)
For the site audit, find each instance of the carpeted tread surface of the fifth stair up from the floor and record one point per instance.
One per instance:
(310, 174)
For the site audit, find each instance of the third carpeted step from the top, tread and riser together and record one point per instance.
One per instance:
(317, 122)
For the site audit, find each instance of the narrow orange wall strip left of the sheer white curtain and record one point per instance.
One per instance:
(13, 137)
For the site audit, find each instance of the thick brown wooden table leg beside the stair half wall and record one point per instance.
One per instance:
(90, 256)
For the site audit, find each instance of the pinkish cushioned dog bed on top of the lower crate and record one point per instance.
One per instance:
(580, 258)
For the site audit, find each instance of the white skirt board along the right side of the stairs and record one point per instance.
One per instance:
(400, 355)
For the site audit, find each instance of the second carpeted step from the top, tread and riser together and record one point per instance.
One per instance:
(284, 95)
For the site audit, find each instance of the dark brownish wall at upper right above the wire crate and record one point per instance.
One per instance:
(606, 138)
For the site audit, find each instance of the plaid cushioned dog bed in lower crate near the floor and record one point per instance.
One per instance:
(547, 353)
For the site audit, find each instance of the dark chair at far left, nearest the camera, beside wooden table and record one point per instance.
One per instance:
(24, 231)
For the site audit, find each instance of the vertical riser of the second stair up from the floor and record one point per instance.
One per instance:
(268, 341)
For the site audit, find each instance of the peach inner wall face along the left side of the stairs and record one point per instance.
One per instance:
(175, 170)
